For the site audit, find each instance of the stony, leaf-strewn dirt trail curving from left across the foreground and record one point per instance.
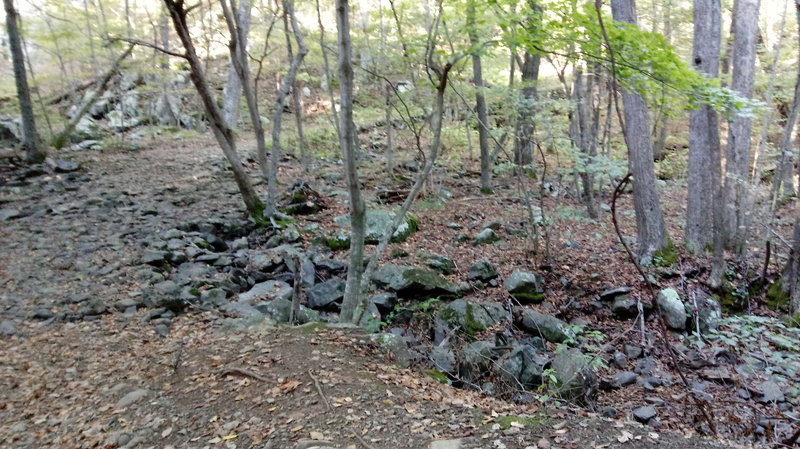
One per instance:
(113, 382)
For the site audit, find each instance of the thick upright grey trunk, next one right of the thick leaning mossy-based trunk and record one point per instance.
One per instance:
(704, 146)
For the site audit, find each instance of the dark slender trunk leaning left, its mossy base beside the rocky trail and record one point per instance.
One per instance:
(222, 132)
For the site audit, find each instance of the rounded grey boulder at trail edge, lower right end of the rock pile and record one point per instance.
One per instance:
(574, 375)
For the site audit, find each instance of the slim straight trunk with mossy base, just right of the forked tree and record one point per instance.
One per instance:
(480, 100)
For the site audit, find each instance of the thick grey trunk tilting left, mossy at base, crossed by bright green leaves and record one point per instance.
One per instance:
(650, 227)
